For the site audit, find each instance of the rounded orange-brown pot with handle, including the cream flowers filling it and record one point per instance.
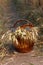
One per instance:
(21, 40)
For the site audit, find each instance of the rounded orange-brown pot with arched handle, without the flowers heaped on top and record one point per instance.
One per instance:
(22, 45)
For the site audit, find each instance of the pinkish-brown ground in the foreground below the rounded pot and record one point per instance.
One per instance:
(23, 59)
